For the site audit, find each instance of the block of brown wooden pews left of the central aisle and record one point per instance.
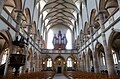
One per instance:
(33, 75)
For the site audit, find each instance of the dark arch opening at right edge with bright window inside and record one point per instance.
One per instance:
(114, 46)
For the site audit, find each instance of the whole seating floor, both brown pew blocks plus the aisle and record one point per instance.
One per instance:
(64, 75)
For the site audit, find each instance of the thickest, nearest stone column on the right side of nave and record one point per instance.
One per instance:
(108, 54)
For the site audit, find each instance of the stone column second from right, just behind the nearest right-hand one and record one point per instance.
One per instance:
(95, 61)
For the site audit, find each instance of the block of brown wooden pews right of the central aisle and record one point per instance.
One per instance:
(88, 75)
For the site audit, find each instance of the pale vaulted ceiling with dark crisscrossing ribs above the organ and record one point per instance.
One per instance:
(60, 12)
